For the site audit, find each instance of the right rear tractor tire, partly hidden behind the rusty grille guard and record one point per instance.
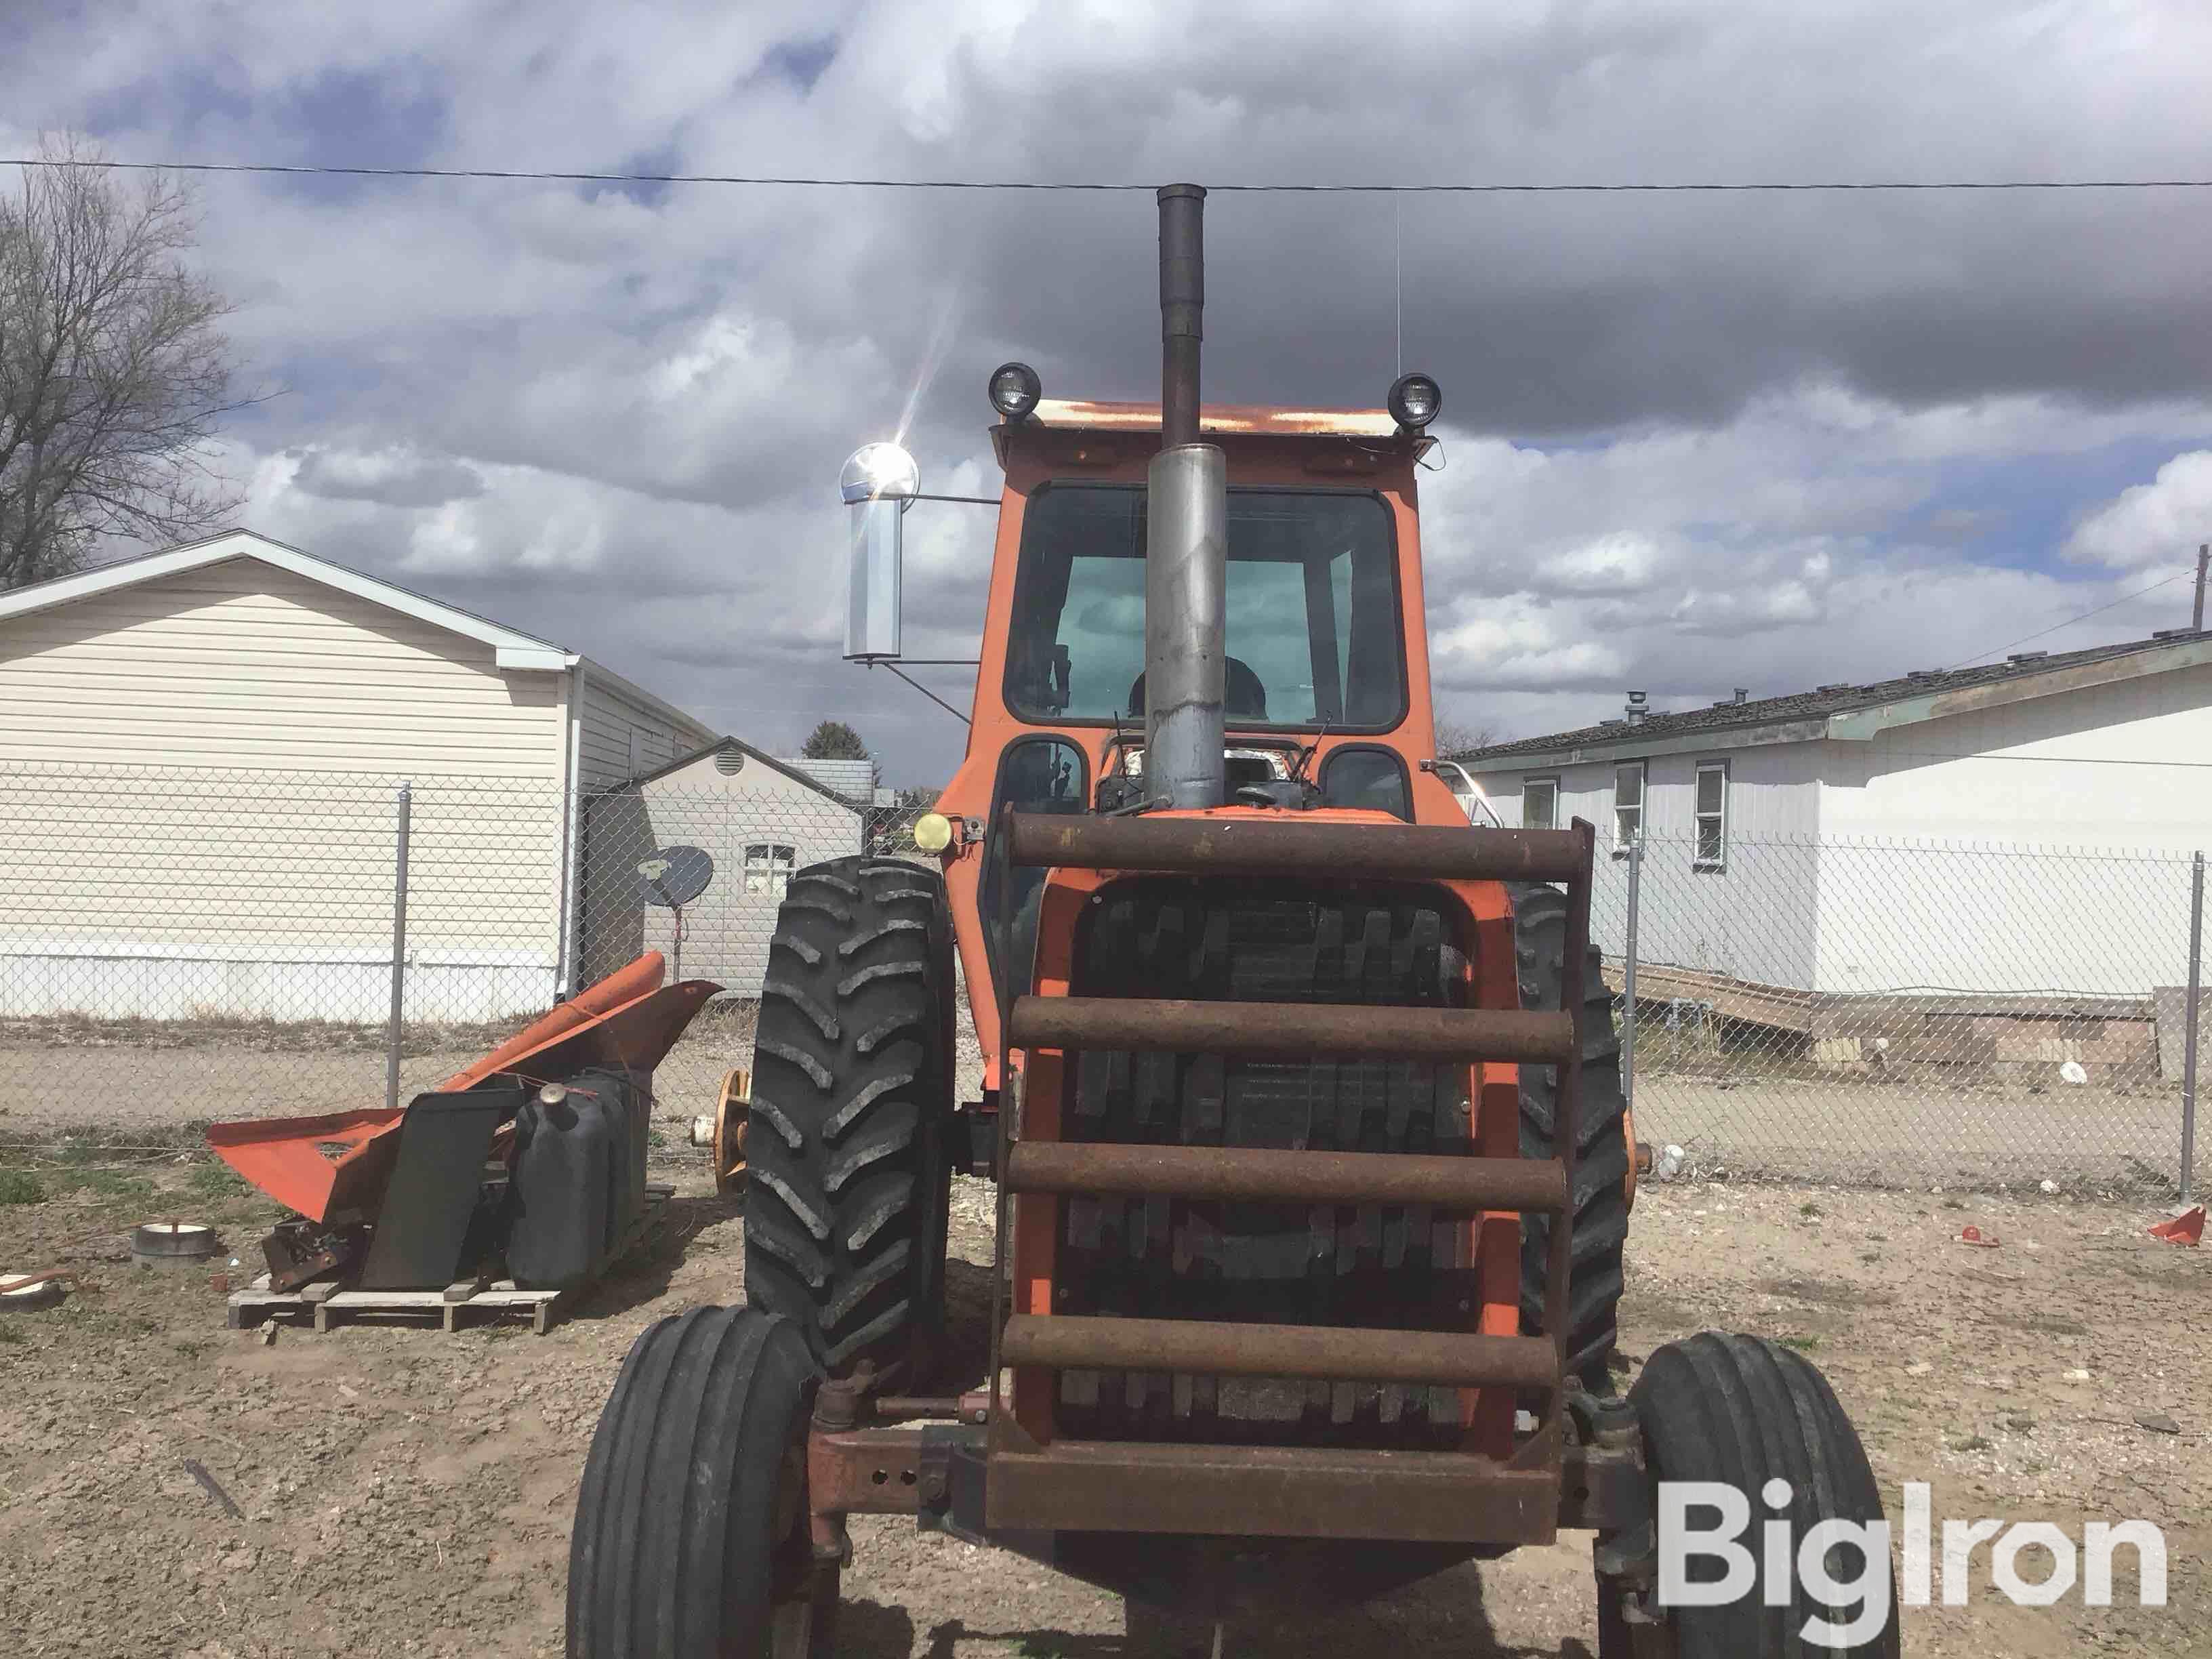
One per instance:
(1603, 1158)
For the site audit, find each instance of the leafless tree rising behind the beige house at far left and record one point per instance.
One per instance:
(114, 368)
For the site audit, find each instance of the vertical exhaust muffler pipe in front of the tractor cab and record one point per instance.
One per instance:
(1187, 536)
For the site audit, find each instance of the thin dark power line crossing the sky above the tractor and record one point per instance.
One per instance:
(804, 182)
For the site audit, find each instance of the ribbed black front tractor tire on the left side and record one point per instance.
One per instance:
(691, 1527)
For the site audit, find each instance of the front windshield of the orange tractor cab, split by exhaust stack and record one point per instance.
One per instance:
(1313, 609)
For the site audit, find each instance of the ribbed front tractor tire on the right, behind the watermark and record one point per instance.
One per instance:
(1742, 1412)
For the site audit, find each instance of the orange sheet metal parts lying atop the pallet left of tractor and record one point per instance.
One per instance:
(337, 1165)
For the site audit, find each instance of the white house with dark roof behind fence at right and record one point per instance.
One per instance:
(2014, 828)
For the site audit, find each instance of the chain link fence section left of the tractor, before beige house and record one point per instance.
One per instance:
(205, 946)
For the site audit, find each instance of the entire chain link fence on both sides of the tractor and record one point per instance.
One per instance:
(205, 946)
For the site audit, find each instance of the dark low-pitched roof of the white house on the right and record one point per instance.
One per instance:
(1853, 713)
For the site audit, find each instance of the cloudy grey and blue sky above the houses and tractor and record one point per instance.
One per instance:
(1691, 441)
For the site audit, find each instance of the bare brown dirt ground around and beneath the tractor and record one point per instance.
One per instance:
(404, 1492)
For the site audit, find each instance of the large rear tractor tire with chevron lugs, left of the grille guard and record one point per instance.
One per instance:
(848, 1142)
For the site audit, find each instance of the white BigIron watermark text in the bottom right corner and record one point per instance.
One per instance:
(1704, 1523)
